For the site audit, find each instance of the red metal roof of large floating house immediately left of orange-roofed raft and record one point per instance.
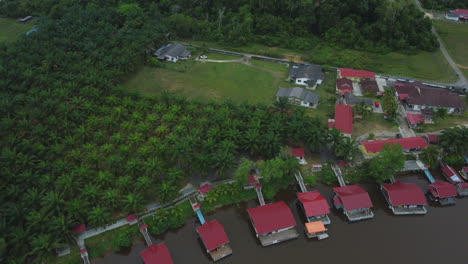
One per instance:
(271, 217)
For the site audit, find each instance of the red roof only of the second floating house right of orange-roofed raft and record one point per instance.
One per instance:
(400, 193)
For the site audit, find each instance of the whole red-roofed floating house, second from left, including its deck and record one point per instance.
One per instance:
(215, 239)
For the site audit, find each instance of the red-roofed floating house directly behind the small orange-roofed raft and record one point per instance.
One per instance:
(315, 206)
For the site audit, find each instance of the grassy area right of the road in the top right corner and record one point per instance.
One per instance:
(455, 37)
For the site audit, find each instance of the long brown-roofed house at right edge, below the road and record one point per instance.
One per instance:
(416, 96)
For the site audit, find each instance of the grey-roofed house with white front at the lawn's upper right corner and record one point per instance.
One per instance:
(307, 75)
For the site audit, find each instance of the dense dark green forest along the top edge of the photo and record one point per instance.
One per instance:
(375, 25)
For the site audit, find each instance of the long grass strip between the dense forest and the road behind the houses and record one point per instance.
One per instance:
(430, 66)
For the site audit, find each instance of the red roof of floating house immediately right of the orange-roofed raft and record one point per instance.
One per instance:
(353, 197)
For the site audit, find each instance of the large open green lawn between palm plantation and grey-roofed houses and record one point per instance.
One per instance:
(210, 80)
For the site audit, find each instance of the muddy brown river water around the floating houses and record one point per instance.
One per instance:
(441, 236)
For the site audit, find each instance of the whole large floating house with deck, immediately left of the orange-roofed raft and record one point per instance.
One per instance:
(273, 223)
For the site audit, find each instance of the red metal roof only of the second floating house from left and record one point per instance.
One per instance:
(213, 235)
